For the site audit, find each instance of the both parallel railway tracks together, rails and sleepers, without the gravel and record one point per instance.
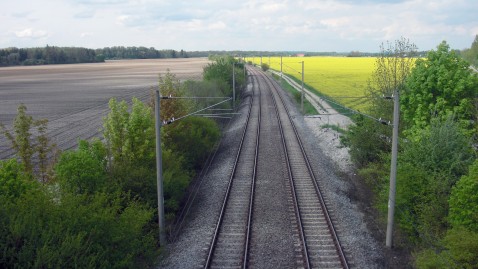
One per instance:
(319, 244)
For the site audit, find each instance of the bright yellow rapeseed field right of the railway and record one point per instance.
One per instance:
(344, 79)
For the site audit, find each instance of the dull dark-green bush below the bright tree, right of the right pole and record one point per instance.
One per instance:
(428, 169)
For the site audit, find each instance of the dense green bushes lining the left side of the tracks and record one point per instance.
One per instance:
(96, 206)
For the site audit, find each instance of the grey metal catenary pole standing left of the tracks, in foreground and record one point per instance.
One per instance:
(159, 174)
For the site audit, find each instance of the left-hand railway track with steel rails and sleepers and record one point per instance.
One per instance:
(230, 243)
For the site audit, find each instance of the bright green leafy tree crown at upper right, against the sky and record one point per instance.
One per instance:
(440, 86)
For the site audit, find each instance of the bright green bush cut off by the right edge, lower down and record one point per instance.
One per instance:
(464, 201)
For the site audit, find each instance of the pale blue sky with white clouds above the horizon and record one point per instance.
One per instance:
(261, 25)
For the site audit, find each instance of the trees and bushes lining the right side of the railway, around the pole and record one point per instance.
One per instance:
(437, 175)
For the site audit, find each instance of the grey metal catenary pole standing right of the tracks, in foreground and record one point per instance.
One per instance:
(393, 170)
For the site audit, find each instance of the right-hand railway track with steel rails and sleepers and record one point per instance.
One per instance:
(319, 241)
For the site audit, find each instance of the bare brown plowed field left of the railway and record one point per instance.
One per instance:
(74, 98)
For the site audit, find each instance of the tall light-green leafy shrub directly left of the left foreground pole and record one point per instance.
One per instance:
(130, 146)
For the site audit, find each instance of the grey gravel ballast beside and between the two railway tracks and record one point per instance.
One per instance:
(332, 166)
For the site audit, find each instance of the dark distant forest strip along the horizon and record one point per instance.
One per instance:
(69, 55)
